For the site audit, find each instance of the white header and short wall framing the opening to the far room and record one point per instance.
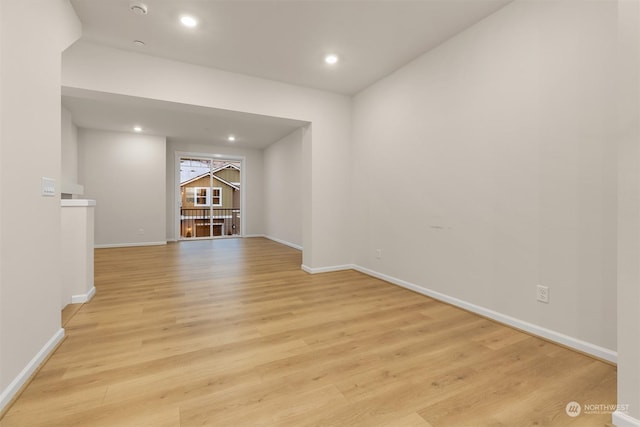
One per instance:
(88, 67)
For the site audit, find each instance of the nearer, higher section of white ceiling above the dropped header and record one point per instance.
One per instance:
(287, 40)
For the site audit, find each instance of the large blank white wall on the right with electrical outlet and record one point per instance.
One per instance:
(486, 167)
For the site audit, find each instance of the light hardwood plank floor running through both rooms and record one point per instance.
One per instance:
(233, 333)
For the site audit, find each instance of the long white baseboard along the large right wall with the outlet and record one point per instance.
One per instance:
(575, 343)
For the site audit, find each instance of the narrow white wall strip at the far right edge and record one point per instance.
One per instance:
(629, 211)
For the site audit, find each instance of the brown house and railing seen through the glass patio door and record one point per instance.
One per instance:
(209, 198)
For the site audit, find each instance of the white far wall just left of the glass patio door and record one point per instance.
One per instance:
(126, 174)
